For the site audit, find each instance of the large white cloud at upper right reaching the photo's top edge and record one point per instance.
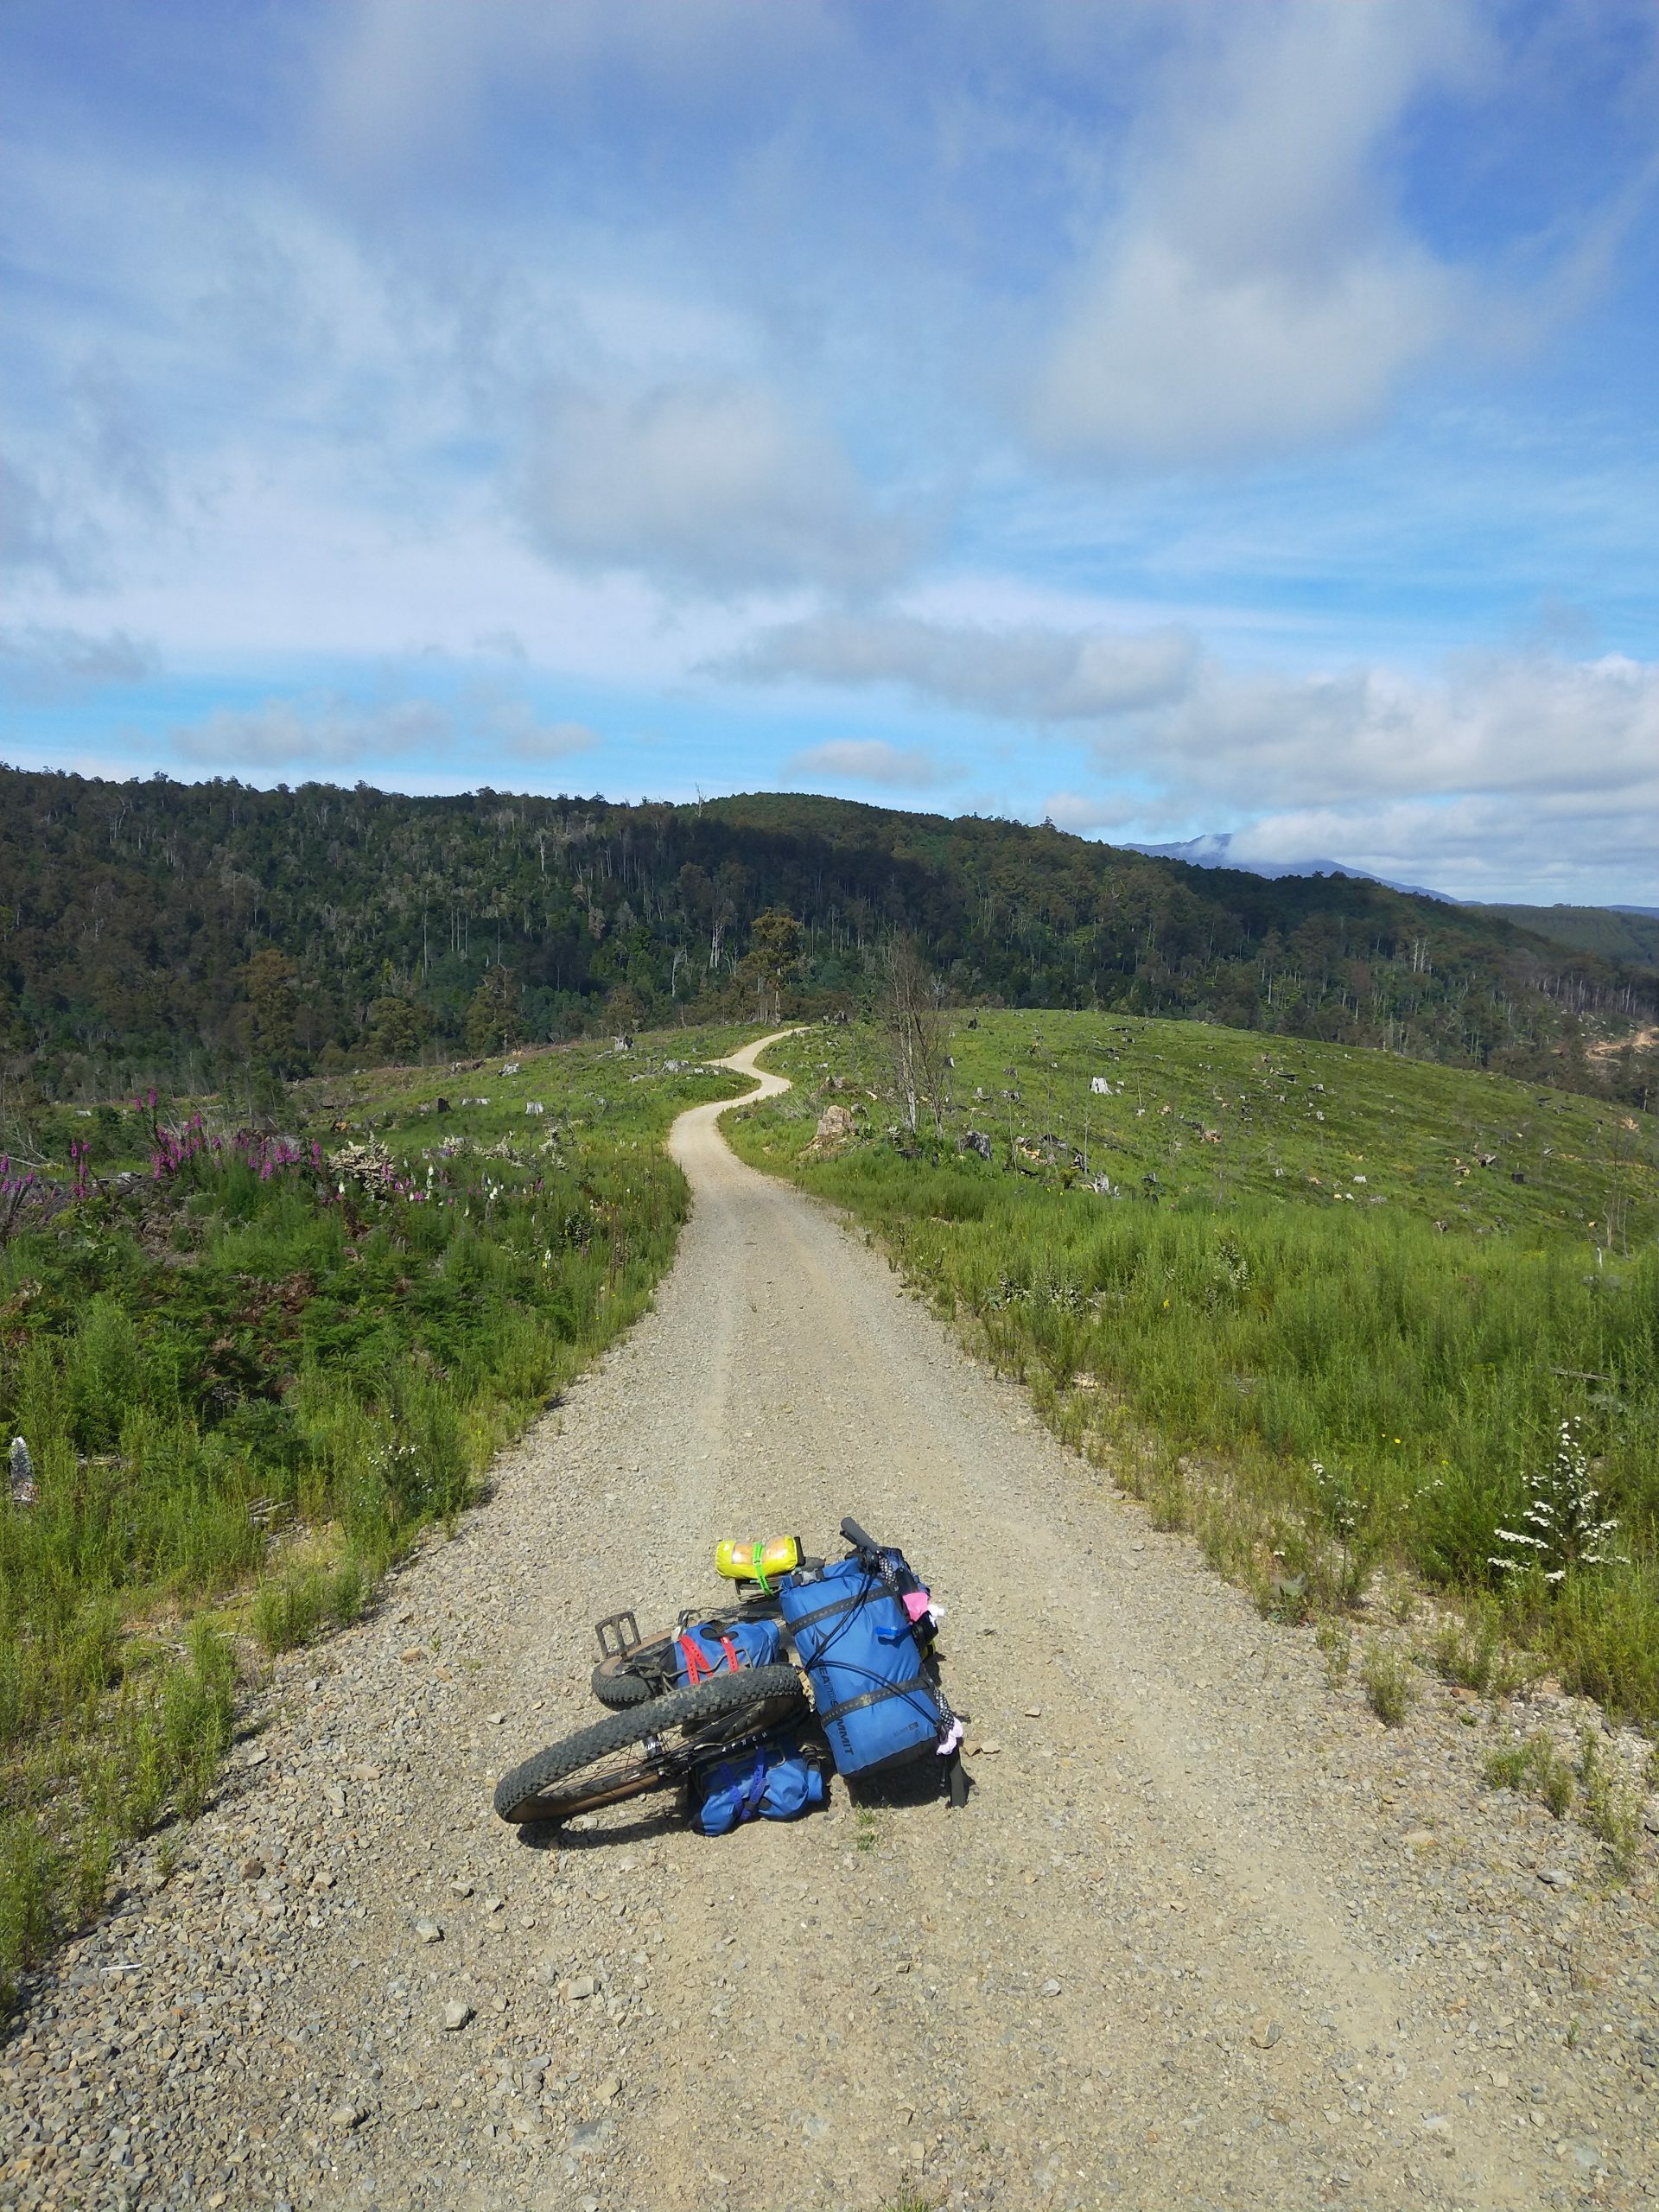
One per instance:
(1258, 291)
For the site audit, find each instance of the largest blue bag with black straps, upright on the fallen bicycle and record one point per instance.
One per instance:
(866, 1669)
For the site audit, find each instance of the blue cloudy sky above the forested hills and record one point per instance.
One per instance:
(1162, 417)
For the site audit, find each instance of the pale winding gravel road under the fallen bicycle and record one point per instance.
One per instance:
(1207, 1937)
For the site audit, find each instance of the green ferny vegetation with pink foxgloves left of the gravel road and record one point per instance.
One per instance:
(249, 1368)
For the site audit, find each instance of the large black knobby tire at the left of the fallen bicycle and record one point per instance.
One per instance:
(592, 1768)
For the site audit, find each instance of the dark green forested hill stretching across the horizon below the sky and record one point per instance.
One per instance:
(165, 930)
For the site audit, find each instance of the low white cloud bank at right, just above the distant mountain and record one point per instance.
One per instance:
(1519, 778)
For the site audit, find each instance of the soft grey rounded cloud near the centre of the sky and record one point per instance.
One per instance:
(711, 483)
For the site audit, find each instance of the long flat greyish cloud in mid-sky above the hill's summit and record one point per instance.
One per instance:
(1027, 674)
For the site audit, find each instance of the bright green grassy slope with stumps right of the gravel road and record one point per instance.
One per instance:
(1326, 1308)
